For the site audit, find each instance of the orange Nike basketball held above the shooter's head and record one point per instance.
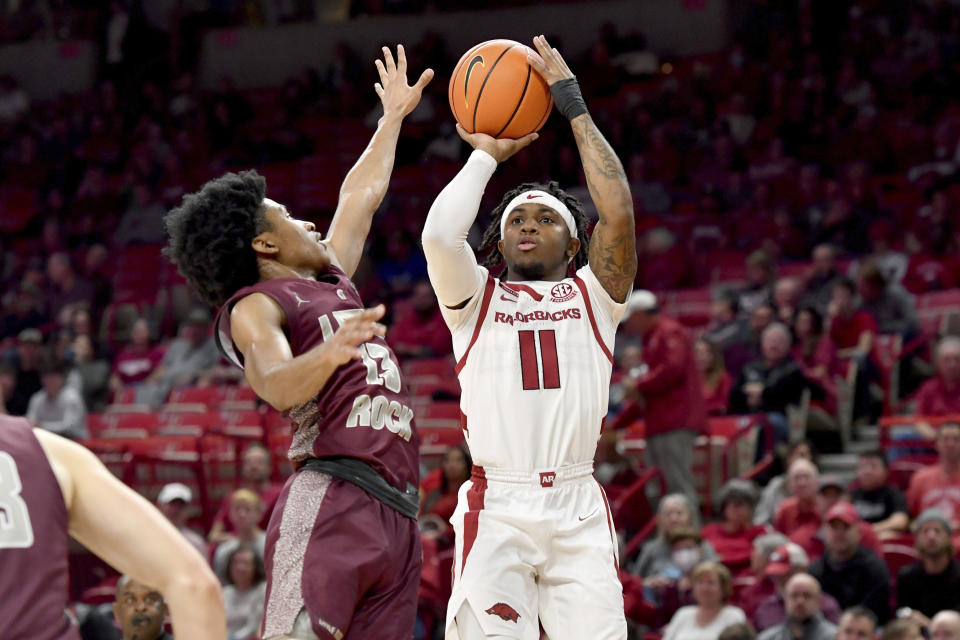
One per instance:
(494, 90)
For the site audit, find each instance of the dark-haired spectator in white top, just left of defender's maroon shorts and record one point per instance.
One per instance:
(244, 594)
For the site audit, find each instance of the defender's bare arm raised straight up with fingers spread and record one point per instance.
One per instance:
(366, 183)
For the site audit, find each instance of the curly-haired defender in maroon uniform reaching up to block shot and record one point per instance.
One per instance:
(343, 546)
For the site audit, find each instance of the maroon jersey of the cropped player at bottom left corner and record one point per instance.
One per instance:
(33, 540)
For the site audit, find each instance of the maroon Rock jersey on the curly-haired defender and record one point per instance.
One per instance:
(362, 411)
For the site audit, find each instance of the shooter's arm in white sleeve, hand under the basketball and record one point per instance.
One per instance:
(451, 264)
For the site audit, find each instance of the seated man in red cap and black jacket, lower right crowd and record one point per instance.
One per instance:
(848, 571)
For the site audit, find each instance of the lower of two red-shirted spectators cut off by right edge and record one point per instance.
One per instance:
(938, 486)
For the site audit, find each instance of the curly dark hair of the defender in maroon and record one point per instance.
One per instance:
(210, 235)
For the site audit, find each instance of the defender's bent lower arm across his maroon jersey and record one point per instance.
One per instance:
(280, 378)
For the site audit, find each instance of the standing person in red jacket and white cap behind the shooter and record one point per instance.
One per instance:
(670, 388)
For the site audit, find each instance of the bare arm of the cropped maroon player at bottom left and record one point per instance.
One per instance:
(130, 534)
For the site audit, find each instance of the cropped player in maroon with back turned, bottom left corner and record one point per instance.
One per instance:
(52, 488)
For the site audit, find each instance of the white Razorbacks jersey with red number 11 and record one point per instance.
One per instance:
(534, 361)
